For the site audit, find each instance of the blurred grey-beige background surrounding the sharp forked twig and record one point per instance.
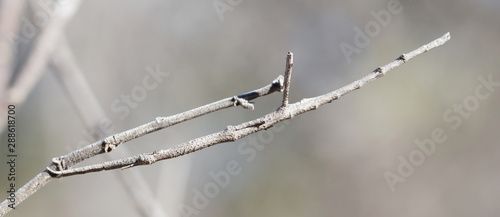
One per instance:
(79, 71)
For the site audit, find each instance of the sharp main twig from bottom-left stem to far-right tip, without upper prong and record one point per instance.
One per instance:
(232, 134)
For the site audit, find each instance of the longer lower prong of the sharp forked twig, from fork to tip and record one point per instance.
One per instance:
(250, 127)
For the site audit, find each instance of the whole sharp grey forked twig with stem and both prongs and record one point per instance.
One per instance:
(61, 166)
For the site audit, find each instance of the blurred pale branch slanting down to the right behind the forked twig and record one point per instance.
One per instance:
(91, 114)
